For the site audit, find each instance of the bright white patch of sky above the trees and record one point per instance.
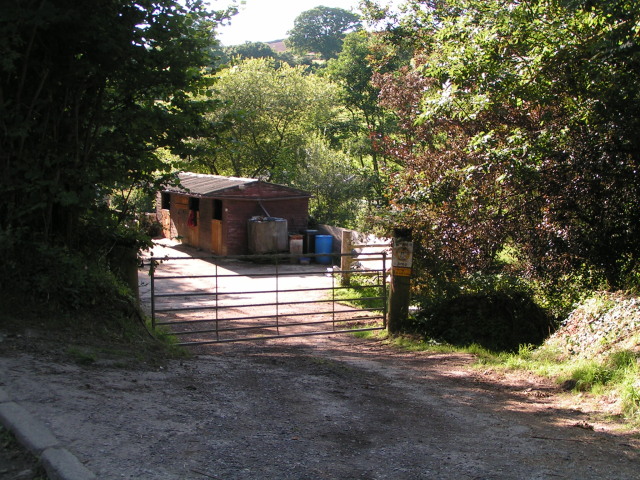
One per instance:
(267, 20)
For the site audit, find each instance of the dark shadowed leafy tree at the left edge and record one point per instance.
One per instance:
(89, 91)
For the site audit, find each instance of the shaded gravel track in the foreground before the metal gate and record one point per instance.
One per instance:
(332, 407)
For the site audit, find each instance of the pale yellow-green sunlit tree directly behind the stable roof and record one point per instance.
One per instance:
(269, 110)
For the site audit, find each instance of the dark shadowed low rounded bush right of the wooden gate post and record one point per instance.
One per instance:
(497, 321)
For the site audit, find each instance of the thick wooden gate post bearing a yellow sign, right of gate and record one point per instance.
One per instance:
(399, 291)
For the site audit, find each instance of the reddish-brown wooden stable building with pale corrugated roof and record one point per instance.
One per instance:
(223, 215)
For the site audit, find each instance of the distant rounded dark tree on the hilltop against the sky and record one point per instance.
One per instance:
(322, 30)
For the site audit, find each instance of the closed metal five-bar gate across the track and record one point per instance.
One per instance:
(213, 299)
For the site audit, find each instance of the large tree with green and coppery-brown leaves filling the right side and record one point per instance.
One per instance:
(520, 130)
